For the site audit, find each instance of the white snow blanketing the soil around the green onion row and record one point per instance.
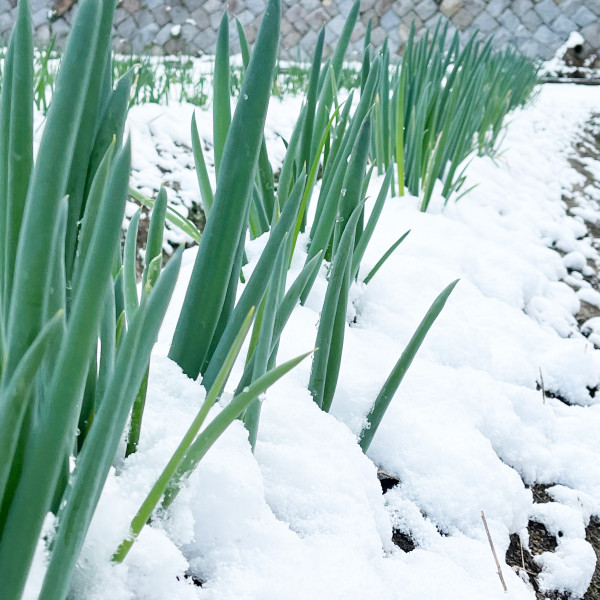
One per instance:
(304, 518)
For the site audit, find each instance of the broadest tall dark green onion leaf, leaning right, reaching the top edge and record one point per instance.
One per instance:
(216, 255)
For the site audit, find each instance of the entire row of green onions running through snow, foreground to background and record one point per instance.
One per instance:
(76, 332)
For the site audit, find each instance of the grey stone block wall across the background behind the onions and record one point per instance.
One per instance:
(536, 27)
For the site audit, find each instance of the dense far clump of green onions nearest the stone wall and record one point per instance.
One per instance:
(441, 104)
